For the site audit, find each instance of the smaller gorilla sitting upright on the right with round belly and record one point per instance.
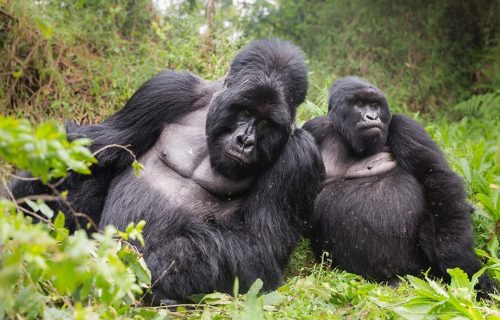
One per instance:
(390, 204)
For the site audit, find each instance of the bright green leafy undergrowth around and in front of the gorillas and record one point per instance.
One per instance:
(47, 273)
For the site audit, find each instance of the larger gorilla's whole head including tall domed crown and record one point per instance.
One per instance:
(251, 119)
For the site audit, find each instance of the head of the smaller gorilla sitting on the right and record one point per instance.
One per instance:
(360, 114)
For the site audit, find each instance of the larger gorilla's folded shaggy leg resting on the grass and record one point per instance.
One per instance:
(187, 256)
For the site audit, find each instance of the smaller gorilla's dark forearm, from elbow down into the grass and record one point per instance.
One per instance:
(446, 233)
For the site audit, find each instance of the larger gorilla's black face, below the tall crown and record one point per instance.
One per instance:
(247, 127)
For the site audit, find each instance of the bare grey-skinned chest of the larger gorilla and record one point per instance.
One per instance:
(178, 167)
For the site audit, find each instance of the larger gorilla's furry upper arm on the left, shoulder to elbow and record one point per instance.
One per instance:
(157, 102)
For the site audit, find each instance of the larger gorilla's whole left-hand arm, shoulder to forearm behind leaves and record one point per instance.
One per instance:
(157, 102)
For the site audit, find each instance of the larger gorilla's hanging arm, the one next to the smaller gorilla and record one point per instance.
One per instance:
(274, 211)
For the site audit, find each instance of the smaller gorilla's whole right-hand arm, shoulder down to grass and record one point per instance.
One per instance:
(445, 234)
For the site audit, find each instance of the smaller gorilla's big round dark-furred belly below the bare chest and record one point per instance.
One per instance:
(374, 224)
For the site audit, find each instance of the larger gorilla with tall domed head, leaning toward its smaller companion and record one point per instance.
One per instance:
(228, 177)
